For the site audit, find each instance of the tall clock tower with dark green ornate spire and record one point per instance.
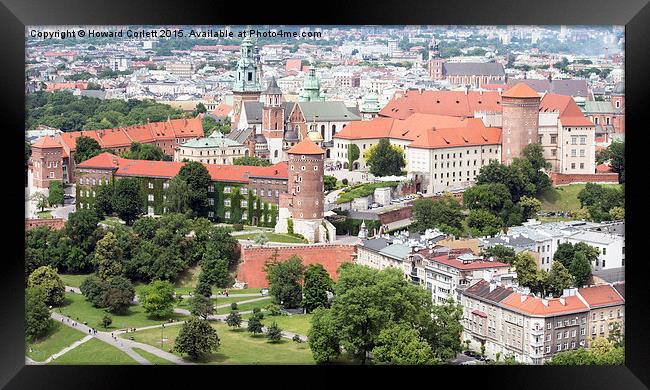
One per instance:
(247, 87)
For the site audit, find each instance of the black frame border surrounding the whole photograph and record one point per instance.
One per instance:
(16, 14)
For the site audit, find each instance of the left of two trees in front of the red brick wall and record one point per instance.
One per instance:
(284, 279)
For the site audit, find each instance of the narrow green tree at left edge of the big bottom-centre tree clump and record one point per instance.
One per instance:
(323, 336)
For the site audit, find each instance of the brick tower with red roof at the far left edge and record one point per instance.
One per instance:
(47, 162)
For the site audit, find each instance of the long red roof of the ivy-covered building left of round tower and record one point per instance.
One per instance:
(169, 169)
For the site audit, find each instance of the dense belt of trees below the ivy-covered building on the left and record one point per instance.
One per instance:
(153, 249)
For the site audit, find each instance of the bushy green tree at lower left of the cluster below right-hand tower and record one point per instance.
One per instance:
(444, 214)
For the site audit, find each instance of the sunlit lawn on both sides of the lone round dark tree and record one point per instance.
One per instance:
(238, 347)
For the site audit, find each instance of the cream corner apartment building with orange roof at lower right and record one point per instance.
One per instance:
(512, 322)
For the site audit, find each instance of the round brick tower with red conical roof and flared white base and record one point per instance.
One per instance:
(303, 204)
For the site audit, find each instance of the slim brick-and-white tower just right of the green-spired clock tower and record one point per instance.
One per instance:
(273, 120)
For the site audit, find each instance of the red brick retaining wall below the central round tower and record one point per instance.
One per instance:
(251, 268)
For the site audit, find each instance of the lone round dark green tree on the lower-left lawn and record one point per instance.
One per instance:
(197, 339)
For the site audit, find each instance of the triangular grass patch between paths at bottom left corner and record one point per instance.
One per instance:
(94, 352)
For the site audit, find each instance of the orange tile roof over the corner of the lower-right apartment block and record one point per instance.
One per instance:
(534, 306)
